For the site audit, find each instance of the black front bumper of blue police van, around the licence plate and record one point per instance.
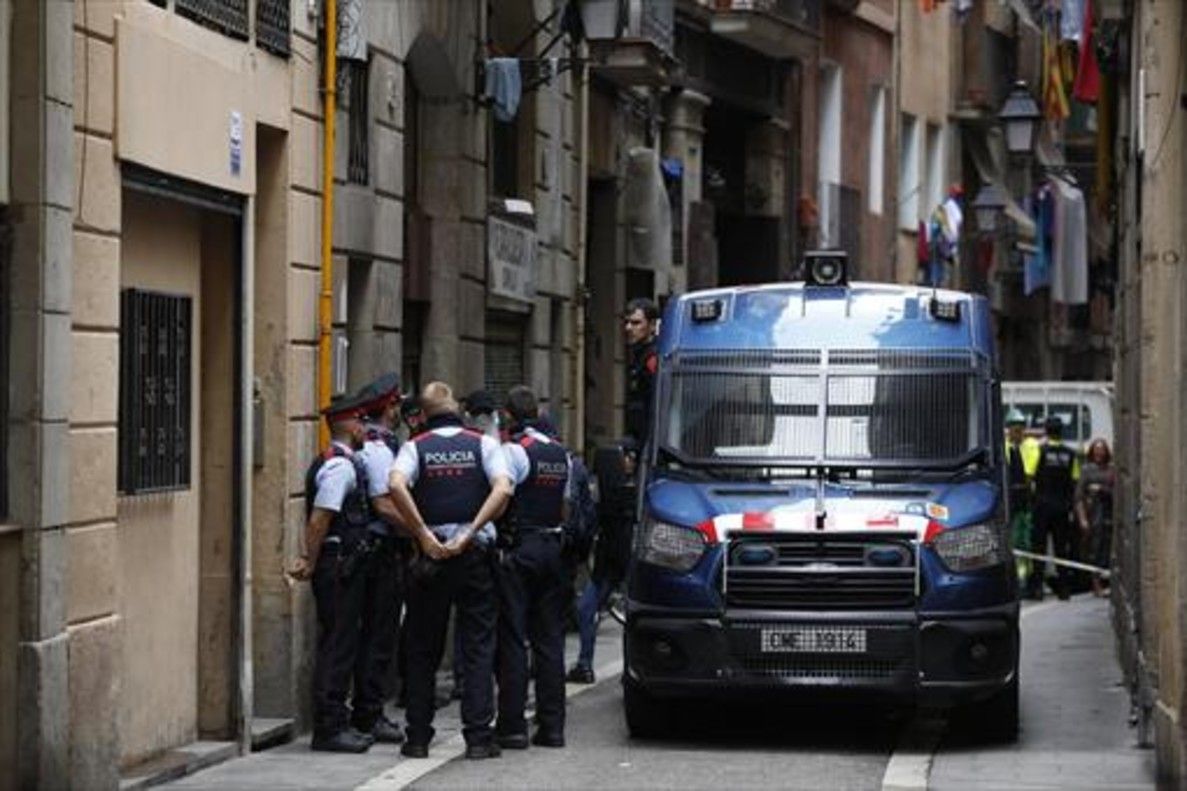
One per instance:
(929, 659)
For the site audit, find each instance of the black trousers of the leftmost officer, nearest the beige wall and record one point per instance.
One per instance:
(339, 592)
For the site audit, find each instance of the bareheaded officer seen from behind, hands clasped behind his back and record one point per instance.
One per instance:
(455, 482)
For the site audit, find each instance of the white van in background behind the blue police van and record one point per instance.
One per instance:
(1084, 407)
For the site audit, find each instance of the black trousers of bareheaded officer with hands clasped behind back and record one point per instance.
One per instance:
(467, 580)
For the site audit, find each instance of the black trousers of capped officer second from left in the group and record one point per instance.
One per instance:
(379, 627)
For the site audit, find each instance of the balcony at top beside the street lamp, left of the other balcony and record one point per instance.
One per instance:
(631, 43)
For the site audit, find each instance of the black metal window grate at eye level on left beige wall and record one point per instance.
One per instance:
(156, 350)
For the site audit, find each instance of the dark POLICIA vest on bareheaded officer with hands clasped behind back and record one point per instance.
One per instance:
(452, 483)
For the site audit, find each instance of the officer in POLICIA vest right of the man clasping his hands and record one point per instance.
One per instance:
(534, 586)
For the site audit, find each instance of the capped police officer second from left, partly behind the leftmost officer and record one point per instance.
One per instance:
(383, 572)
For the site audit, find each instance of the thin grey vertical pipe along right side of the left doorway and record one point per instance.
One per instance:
(244, 499)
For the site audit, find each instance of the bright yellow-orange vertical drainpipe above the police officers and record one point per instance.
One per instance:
(326, 306)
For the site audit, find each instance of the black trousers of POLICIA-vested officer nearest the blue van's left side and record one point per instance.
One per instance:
(534, 593)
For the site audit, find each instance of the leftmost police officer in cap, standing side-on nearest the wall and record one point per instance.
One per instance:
(338, 518)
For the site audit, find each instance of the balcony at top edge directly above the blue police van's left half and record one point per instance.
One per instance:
(775, 28)
